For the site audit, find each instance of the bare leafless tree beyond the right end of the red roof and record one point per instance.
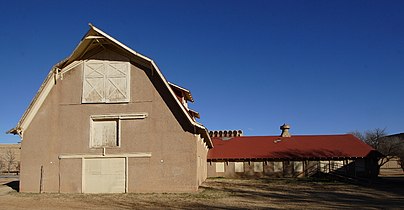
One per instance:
(389, 146)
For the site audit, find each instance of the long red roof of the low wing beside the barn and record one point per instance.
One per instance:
(295, 147)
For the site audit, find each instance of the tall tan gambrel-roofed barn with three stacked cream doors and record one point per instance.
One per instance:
(106, 120)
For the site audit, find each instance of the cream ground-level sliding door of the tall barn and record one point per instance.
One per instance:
(104, 175)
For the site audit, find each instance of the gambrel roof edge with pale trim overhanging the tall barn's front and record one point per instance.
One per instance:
(92, 40)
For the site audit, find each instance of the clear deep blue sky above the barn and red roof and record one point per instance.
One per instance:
(324, 67)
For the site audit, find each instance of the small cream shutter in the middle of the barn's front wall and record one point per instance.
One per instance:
(104, 133)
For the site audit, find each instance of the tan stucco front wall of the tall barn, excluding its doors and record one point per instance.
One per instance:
(62, 126)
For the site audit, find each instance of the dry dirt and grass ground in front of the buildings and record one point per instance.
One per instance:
(383, 193)
